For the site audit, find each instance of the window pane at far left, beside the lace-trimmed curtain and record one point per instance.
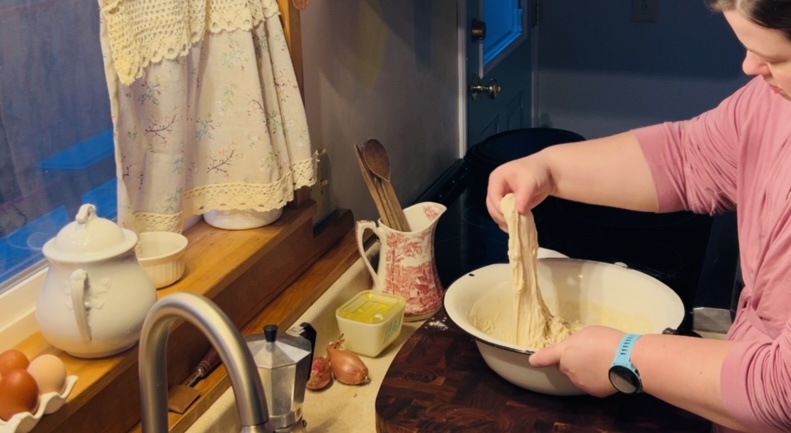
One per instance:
(56, 148)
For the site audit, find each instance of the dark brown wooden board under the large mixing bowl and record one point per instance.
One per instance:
(438, 382)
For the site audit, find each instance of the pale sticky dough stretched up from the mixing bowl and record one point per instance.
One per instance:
(536, 327)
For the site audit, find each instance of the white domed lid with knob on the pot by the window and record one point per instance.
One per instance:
(88, 238)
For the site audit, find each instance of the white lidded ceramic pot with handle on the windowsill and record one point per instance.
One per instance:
(96, 295)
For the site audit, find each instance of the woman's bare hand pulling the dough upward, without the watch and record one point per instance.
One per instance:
(529, 178)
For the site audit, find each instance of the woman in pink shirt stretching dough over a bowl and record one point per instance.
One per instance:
(735, 157)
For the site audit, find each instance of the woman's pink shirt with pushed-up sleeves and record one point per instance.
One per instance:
(738, 156)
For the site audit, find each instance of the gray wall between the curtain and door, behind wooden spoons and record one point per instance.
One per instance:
(386, 70)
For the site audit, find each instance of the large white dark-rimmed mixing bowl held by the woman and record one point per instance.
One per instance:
(592, 293)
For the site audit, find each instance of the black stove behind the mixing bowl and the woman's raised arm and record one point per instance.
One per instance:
(670, 247)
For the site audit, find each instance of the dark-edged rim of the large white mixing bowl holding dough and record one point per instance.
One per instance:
(527, 351)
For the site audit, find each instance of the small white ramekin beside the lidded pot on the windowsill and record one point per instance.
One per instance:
(161, 254)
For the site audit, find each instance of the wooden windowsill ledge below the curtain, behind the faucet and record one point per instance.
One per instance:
(266, 275)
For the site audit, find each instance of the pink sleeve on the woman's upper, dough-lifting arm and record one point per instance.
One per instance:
(693, 162)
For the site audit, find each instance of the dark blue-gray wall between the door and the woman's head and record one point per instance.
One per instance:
(600, 73)
